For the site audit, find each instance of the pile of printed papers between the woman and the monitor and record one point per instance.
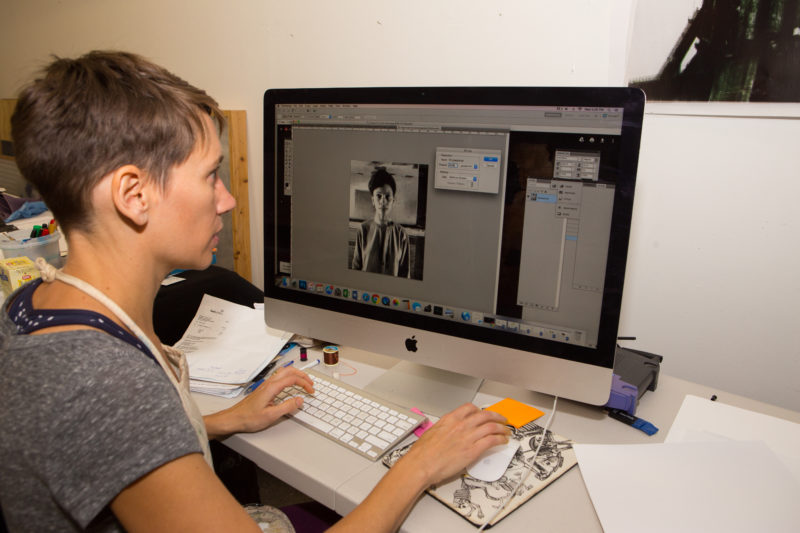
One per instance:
(227, 345)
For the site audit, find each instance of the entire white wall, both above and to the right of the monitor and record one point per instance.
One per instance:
(712, 254)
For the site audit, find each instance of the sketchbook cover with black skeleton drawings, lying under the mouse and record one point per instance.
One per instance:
(474, 499)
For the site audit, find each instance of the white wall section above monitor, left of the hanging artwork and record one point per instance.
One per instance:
(236, 50)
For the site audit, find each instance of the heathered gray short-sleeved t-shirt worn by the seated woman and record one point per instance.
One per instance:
(82, 416)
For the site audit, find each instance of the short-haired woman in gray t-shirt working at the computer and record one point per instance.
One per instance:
(99, 432)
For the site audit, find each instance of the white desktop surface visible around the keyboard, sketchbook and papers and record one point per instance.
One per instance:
(341, 479)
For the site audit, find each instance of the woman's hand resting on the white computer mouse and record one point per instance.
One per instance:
(457, 440)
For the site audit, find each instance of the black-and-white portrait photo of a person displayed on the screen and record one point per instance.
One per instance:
(387, 218)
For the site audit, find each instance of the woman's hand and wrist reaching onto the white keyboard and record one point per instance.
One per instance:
(256, 411)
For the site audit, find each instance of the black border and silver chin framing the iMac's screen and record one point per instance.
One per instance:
(575, 372)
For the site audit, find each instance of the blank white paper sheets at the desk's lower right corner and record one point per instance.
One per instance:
(721, 468)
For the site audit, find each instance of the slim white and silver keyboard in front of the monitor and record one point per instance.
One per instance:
(360, 421)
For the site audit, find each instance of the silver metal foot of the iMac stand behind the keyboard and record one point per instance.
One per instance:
(431, 390)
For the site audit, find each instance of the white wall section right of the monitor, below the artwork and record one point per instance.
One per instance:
(713, 279)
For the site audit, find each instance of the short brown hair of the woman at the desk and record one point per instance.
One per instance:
(88, 116)
